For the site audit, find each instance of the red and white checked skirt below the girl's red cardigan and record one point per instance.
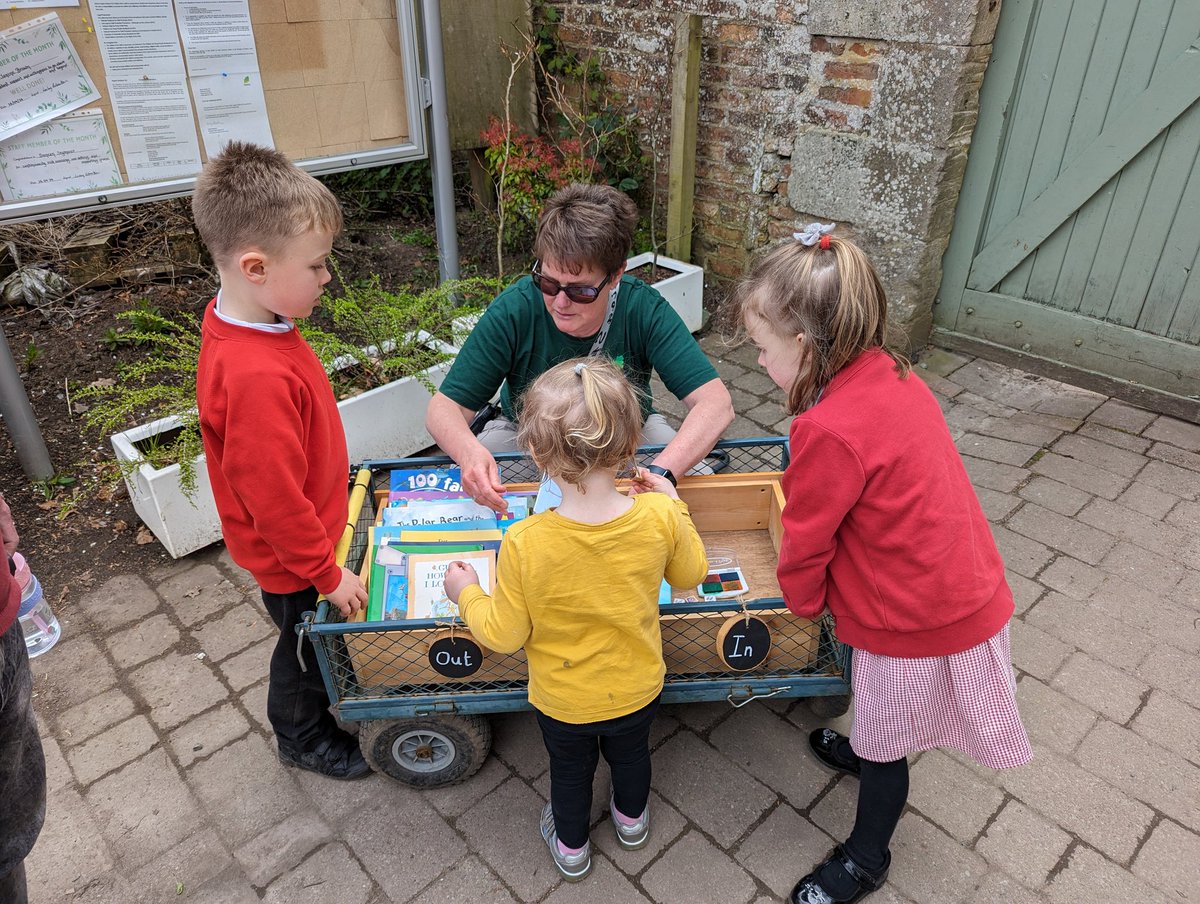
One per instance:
(967, 702)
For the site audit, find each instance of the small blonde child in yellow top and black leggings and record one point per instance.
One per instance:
(578, 588)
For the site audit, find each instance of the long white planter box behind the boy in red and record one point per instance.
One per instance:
(385, 423)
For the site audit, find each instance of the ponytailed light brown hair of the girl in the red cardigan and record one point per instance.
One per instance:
(832, 298)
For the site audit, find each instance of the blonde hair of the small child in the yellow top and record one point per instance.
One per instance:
(580, 416)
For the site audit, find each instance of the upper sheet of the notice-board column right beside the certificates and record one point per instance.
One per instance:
(137, 38)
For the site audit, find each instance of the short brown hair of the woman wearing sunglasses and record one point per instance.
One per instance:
(587, 225)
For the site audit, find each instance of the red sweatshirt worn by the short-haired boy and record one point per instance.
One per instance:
(277, 454)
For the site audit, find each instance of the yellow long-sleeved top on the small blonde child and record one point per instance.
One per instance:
(583, 601)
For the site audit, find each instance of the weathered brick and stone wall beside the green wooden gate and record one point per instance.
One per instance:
(819, 110)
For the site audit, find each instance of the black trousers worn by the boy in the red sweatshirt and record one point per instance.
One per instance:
(297, 703)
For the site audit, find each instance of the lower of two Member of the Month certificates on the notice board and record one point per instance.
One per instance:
(71, 153)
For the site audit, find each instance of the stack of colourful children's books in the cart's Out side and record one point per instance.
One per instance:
(428, 524)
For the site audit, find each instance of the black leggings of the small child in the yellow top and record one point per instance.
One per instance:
(574, 755)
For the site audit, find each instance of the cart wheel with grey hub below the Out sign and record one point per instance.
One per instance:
(427, 752)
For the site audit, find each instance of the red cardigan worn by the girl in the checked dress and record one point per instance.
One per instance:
(881, 523)
